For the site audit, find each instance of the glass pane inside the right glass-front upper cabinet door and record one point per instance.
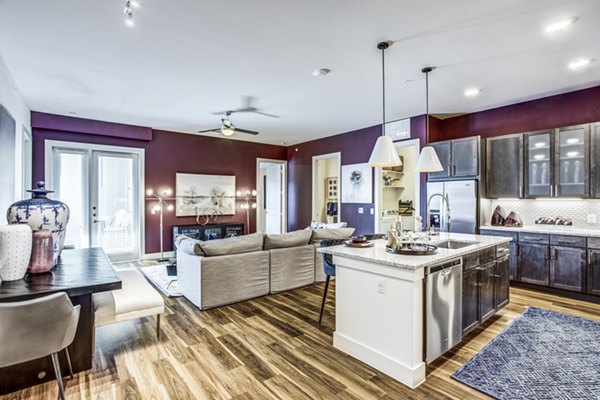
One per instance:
(571, 149)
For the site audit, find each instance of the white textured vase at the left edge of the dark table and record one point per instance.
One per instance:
(15, 251)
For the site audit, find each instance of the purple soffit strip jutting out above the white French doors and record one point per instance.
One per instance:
(88, 126)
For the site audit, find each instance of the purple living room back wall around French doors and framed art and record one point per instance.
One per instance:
(168, 153)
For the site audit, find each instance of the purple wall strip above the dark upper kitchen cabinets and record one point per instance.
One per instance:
(582, 106)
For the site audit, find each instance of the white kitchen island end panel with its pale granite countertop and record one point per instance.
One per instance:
(380, 310)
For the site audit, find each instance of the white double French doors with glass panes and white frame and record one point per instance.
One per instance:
(102, 185)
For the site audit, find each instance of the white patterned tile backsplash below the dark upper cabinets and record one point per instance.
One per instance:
(530, 210)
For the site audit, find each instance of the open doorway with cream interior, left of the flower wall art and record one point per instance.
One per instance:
(326, 199)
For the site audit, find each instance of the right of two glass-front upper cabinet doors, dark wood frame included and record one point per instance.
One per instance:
(572, 161)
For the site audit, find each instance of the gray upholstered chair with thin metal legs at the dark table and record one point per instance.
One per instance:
(37, 328)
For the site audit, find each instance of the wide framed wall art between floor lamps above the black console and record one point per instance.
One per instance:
(204, 194)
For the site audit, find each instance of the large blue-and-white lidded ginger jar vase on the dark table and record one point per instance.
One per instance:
(40, 212)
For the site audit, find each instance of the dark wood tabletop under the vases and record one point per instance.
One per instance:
(79, 272)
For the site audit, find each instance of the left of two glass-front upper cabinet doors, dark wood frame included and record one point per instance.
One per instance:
(539, 172)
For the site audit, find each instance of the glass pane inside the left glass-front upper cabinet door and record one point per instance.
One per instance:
(540, 165)
